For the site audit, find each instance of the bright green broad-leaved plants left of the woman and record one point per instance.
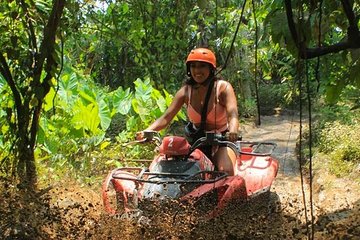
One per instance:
(83, 115)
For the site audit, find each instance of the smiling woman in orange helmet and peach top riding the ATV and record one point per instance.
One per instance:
(222, 113)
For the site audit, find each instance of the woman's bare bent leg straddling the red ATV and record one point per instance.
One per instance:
(225, 159)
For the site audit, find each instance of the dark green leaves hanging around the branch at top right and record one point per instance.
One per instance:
(337, 71)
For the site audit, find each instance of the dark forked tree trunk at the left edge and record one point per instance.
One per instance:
(28, 115)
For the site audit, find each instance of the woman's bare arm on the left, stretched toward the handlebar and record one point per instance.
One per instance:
(170, 113)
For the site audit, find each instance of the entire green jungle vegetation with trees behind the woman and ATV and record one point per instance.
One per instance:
(80, 77)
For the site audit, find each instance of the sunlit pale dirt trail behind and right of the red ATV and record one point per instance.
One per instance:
(335, 202)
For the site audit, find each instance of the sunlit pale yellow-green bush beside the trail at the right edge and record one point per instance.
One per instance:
(337, 137)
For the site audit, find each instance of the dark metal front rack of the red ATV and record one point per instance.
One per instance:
(144, 176)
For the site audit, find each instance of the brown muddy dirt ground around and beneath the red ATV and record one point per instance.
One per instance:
(74, 211)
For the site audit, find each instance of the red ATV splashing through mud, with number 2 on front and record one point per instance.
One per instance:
(183, 172)
